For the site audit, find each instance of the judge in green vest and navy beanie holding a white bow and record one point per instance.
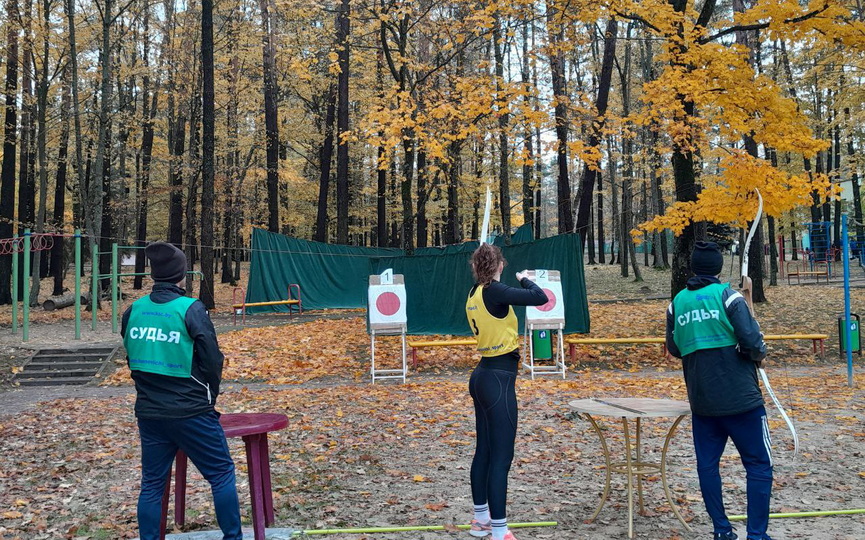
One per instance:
(710, 327)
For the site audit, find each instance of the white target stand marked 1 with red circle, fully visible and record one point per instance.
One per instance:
(387, 317)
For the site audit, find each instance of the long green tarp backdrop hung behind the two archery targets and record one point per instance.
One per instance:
(335, 276)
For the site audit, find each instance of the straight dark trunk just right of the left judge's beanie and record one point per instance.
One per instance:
(208, 177)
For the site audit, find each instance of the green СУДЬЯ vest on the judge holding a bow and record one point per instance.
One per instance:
(701, 320)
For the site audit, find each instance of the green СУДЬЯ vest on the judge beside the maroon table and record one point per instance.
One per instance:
(157, 340)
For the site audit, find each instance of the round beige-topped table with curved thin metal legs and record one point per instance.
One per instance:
(633, 465)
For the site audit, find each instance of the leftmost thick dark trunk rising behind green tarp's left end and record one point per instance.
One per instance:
(271, 117)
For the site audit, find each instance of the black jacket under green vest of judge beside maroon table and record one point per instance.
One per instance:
(160, 396)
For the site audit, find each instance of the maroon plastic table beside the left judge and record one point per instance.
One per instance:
(253, 428)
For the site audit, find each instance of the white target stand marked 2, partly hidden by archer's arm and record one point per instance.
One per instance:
(550, 316)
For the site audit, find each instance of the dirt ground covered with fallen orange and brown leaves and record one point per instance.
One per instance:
(358, 455)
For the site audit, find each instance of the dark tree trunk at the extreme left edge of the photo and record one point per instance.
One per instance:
(10, 137)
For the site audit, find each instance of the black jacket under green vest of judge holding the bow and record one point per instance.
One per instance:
(723, 381)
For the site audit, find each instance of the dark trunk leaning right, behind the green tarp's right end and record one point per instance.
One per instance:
(601, 101)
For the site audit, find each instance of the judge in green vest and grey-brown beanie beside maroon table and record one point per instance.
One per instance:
(177, 366)
